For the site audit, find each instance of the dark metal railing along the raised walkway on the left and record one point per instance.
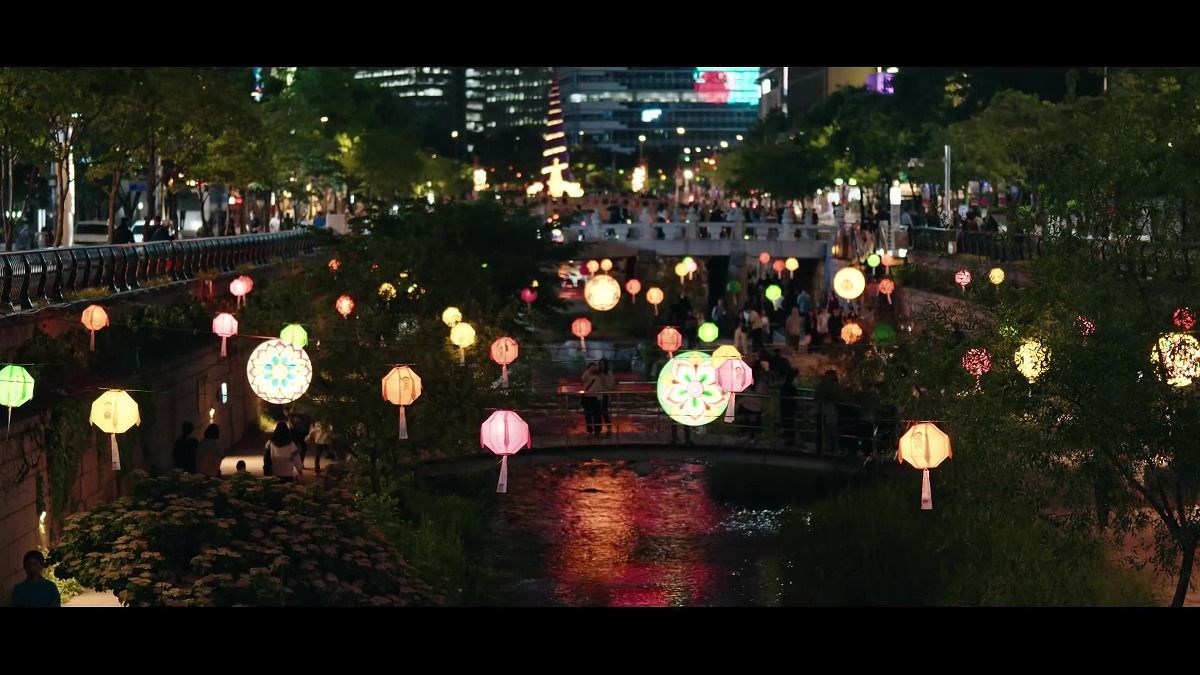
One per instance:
(49, 274)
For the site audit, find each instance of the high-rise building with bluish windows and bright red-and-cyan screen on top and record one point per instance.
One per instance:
(671, 107)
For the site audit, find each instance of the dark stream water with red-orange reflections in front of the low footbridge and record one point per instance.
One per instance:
(621, 534)
